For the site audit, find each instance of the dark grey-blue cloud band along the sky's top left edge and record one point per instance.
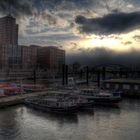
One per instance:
(29, 7)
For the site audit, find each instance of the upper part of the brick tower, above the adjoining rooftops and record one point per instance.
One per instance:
(8, 31)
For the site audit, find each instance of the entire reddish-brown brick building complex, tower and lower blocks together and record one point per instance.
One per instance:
(16, 58)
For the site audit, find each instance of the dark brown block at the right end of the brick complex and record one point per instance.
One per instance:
(51, 58)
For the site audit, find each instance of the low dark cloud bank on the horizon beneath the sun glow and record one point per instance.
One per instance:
(99, 56)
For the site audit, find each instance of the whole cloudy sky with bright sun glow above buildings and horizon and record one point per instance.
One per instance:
(91, 31)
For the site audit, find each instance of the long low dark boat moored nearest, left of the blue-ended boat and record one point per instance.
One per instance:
(56, 105)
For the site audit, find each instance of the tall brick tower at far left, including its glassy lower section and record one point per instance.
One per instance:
(10, 53)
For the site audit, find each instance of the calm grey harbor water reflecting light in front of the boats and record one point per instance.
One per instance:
(98, 123)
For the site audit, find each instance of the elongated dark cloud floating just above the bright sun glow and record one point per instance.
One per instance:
(113, 23)
